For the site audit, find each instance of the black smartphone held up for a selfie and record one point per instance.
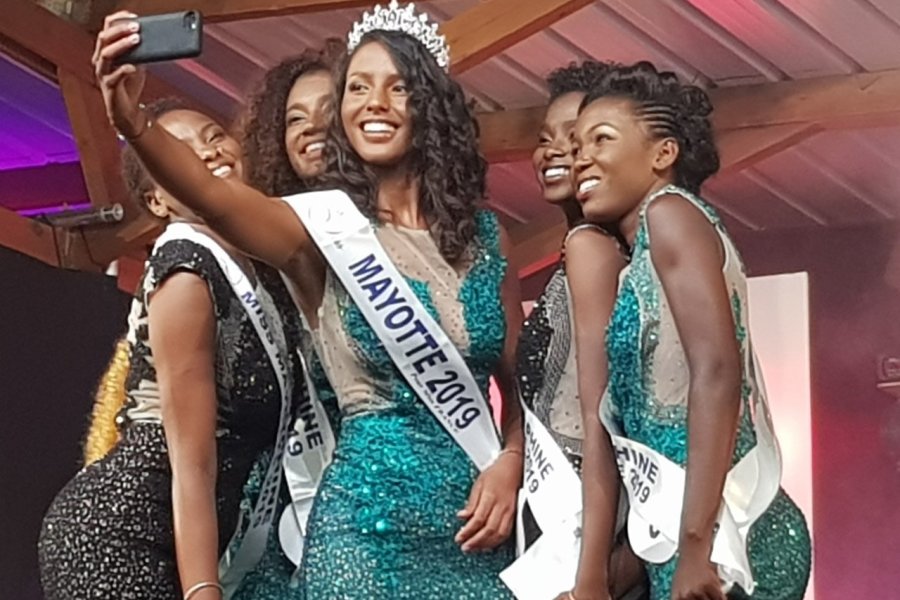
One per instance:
(167, 37)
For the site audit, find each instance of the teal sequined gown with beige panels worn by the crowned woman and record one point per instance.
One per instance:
(384, 521)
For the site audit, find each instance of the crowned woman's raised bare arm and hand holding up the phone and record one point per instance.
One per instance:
(261, 226)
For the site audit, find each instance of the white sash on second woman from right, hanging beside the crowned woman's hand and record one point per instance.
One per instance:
(553, 492)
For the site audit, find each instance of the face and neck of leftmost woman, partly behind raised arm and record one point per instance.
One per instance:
(211, 142)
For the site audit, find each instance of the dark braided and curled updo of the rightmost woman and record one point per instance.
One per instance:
(671, 109)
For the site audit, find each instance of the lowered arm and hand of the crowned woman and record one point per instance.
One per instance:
(491, 508)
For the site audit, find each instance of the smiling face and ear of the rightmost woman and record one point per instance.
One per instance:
(618, 163)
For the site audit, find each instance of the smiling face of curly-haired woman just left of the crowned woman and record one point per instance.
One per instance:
(307, 111)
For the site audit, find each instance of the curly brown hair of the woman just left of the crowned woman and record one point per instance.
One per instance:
(266, 163)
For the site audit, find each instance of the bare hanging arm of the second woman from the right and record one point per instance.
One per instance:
(593, 263)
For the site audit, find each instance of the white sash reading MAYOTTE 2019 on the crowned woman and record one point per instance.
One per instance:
(416, 343)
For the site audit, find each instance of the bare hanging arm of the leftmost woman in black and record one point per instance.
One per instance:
(182, 335)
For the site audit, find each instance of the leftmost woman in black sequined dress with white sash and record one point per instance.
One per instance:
(206, 395)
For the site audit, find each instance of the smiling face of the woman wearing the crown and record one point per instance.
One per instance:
(375, 109)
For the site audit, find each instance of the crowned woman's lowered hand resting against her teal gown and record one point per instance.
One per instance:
(491, 508)
